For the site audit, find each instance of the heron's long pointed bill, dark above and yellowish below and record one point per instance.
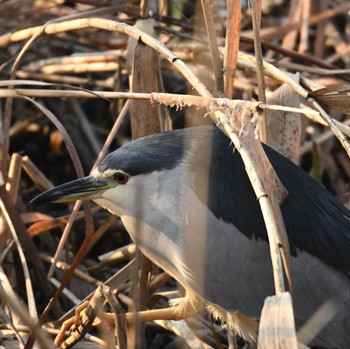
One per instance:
(80, 189)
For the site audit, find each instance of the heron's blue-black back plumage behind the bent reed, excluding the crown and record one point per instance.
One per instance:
(315, 220)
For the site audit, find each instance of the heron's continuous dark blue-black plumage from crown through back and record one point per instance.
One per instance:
(315, 221)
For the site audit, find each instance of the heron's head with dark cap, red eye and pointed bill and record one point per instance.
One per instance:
(128, 178)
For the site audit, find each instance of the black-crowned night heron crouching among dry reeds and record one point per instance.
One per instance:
(186, 201)
